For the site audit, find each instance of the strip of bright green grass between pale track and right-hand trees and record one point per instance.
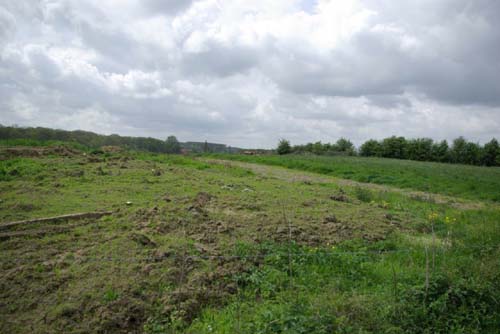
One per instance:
(463, 181)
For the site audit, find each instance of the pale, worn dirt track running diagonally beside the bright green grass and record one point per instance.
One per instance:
(291, 175)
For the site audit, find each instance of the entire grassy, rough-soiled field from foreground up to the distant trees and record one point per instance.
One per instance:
(206, 245)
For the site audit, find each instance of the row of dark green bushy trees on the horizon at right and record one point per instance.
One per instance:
(460, 151)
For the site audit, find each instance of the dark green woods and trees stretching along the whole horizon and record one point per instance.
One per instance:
(421, 149)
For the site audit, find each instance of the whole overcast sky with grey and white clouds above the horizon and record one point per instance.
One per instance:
(249, 72)
